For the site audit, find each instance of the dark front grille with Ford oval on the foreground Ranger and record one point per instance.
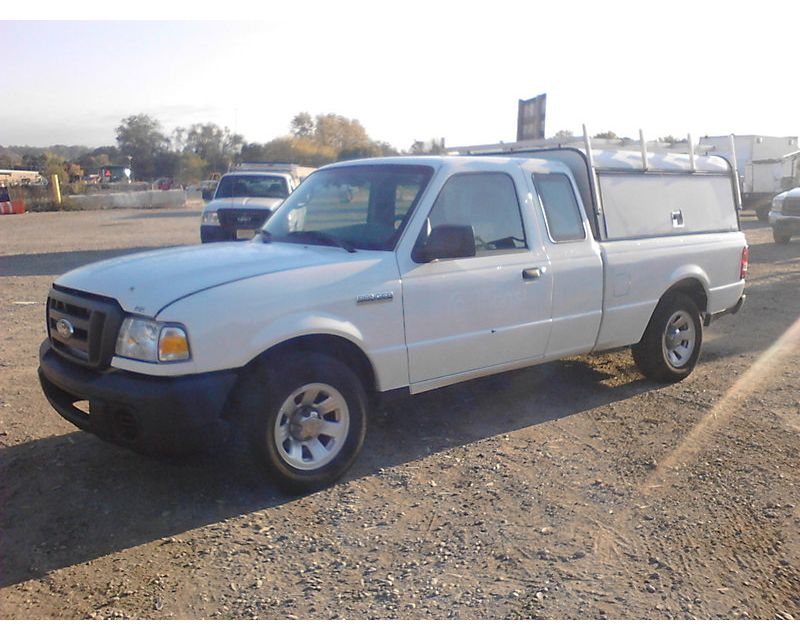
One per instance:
(89, 325)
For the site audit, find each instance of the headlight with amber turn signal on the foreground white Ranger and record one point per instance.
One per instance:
(151, 341)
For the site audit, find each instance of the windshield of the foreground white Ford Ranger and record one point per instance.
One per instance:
(365, 207)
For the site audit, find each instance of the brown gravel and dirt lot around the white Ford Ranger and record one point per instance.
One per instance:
(571, 490)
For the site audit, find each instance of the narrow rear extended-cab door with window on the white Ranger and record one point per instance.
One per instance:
(575, 264)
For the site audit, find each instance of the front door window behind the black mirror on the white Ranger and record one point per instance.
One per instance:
(487, 202)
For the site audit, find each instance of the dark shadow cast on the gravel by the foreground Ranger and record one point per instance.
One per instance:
(94, 499)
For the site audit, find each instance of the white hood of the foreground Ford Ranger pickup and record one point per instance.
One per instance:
(145, 283)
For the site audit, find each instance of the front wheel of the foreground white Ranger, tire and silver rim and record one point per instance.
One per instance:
(293, 440)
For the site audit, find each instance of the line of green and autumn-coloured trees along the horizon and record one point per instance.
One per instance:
(190, 154)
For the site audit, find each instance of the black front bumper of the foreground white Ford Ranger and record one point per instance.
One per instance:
(143, 413)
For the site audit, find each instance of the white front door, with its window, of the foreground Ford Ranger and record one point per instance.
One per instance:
(467, 314)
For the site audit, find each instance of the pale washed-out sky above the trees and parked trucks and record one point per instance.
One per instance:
(407, 71)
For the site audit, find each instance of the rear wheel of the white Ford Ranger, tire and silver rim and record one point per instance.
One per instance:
(659, 355)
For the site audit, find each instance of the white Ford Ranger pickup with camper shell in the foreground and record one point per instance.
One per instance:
(430, 272)
